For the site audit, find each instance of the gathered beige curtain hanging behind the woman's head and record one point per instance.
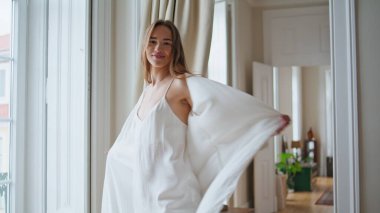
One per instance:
(193, 19)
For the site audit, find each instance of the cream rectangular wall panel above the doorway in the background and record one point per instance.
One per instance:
(296, 36)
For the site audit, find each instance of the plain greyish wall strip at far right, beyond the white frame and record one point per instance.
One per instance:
(368, 32)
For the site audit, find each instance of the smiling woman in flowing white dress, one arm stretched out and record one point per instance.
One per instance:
(188, 139)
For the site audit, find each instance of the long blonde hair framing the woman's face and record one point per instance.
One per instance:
(178, 65)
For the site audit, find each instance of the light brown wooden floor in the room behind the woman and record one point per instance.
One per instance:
(301, 202)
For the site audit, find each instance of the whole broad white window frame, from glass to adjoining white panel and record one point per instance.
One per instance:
(28, 161)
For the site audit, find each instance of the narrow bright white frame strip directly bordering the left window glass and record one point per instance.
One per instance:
(17, 152)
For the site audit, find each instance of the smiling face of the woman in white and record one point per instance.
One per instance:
(159, 49)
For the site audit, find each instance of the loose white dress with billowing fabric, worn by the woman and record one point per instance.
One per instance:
(159, 164)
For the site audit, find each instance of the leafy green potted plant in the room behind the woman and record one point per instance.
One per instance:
(290, 166)
